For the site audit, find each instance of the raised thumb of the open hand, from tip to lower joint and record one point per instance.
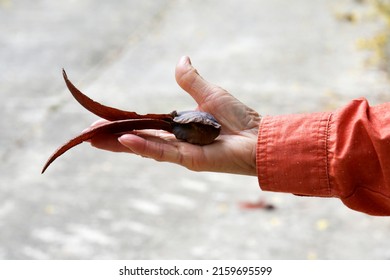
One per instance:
(189, 79)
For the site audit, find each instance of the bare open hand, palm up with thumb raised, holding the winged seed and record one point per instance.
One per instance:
(234, 151)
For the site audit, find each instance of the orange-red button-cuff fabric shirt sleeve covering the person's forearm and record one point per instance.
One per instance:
(343, 154)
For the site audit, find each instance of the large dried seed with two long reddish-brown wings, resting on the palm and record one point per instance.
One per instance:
(194, 127)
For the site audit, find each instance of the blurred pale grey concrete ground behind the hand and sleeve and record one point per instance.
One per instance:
(277, 56)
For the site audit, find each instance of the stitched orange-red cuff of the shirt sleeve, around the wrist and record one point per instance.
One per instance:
(292, 154)
